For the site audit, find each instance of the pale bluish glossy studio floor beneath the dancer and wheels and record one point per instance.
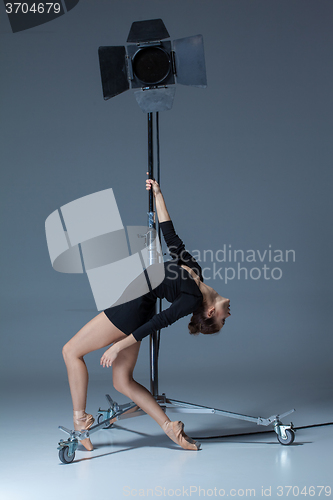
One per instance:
(135, 458)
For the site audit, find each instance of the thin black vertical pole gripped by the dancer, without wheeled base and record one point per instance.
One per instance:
(151, 224)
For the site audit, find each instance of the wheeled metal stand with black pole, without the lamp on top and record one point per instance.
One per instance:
(285, 433)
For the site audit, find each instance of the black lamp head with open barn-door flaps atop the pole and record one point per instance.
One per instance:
(152, 65)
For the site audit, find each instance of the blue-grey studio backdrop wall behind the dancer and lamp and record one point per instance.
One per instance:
(246, 162)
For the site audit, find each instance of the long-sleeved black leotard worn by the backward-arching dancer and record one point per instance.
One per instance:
(178, 287)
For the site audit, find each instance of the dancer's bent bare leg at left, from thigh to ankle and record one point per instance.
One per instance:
(98, 333)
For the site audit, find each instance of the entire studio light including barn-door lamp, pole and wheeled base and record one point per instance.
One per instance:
(152, 66)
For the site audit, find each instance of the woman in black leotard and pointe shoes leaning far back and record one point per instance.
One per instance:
(124, 327)
